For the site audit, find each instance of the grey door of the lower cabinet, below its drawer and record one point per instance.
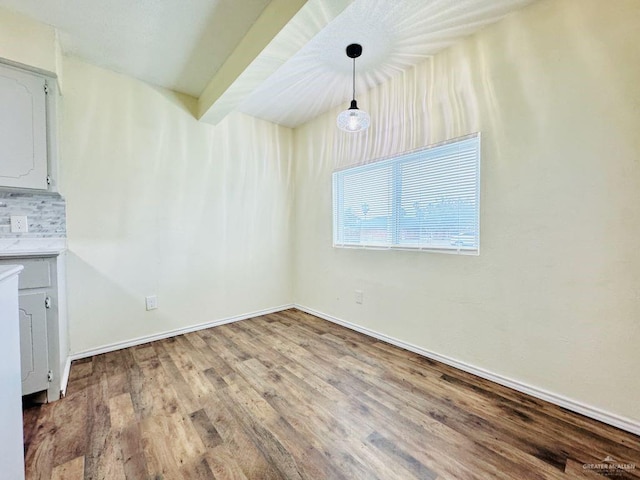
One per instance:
(33, 342)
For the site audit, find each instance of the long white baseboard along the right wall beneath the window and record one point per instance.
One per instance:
(618, 421)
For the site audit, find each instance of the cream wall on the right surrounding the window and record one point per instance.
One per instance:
(553, 300)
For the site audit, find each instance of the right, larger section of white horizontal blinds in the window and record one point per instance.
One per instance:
(439, 197)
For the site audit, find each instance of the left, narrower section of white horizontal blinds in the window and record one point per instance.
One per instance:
(364, 211)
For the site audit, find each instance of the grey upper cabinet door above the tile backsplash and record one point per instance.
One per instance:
(23, 129)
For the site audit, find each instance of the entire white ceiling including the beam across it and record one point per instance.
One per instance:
(280, 60)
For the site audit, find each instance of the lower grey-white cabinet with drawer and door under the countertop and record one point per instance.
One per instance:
(42, 319)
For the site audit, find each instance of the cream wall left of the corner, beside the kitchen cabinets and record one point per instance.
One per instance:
(158, 203)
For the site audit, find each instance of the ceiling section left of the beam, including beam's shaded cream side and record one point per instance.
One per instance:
(177, 44)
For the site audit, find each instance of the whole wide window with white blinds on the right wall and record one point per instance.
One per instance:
(427, 199)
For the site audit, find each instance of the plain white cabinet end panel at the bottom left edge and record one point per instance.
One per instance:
(11, 450)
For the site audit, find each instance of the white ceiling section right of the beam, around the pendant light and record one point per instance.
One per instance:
(395, 35)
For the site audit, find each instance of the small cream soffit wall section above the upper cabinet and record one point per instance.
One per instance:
(26, 41)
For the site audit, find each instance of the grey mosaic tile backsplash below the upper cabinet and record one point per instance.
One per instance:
(46, 214)
